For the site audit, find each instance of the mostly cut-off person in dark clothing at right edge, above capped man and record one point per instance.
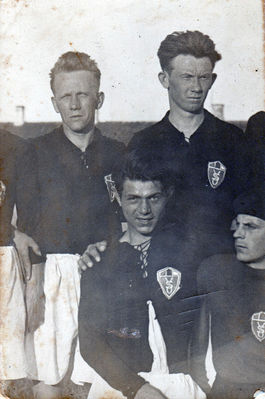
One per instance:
(255, 134)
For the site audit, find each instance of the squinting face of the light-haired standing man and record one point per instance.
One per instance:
(76, 98)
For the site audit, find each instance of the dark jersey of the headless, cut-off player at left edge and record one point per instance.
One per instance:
(17, 185)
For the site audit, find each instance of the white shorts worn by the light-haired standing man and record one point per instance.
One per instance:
(52, 341)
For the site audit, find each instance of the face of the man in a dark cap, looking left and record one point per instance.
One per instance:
(249, 237)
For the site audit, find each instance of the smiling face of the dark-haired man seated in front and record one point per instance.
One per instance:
(143, 203)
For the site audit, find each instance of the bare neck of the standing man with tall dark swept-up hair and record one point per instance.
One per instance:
(186, 122)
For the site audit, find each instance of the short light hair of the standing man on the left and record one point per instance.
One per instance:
(74, 61)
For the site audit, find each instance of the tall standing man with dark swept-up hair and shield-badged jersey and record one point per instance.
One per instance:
(215, 162)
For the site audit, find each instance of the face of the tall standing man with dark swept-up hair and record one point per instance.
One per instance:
(188, 82)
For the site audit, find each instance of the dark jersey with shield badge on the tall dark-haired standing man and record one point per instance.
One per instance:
(215, 165)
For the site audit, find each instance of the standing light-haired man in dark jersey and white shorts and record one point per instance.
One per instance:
(73, 163)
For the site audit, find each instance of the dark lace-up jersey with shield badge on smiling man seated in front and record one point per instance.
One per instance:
(113, 311)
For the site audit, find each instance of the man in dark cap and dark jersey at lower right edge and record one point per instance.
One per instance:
(233, 288)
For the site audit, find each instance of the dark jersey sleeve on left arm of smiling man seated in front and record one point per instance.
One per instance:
(93, 345)
